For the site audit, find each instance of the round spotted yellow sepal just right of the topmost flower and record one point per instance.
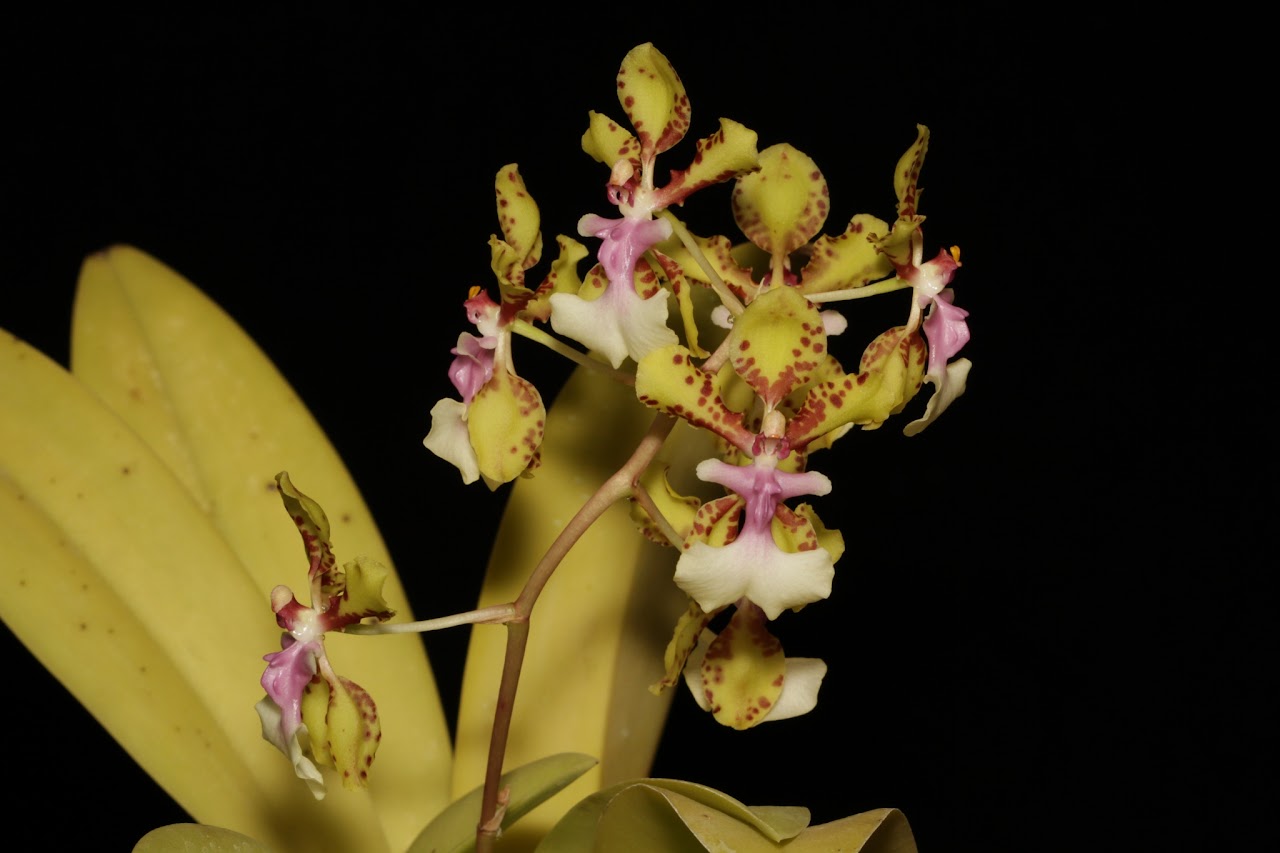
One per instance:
(783, 206)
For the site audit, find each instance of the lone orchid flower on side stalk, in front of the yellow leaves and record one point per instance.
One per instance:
(310, 714)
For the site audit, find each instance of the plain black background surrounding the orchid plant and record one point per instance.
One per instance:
(1043, 582)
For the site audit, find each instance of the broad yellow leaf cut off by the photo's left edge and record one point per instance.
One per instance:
(100, 532)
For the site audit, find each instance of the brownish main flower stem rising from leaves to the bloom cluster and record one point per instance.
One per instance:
(619, 486)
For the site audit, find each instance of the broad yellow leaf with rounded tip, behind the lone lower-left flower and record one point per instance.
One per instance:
(207, 399)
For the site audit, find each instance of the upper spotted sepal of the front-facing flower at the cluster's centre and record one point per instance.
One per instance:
(778, 344)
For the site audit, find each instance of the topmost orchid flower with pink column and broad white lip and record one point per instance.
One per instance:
(628, 318)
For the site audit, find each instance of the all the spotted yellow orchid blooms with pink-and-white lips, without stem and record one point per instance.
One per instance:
(771, 391)
